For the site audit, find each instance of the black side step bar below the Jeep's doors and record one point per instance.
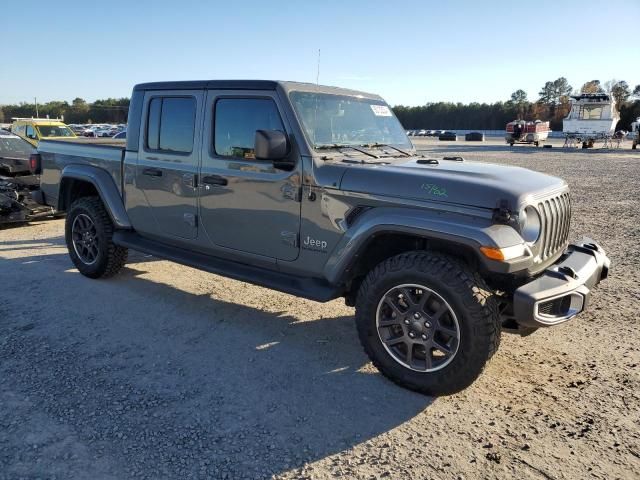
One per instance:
(310, 288)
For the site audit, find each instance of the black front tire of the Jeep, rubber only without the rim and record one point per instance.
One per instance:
(468, 296)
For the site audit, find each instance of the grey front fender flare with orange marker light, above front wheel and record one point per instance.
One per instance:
(464, 230)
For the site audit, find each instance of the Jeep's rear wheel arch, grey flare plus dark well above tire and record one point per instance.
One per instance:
(77, 181)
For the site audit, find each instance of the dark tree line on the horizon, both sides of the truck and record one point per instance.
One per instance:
(553, 105)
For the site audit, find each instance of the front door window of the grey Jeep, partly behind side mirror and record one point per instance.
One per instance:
(236, 122)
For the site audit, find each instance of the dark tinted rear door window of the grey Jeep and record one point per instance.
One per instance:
(171, 124)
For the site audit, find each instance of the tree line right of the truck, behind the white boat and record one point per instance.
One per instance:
(553, 105)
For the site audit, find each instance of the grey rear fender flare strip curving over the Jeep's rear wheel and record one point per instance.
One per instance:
(104, 185)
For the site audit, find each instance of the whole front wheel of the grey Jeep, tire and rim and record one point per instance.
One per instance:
(427, 322)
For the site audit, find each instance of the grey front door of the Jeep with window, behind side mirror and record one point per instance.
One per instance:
(247, 205)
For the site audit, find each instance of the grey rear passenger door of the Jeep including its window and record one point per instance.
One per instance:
(166, 172)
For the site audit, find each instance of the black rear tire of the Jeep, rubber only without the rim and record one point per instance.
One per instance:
(111, 258)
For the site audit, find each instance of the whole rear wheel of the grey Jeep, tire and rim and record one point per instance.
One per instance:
(88, 233)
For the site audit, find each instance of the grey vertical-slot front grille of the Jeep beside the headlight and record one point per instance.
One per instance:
(555, 214)
